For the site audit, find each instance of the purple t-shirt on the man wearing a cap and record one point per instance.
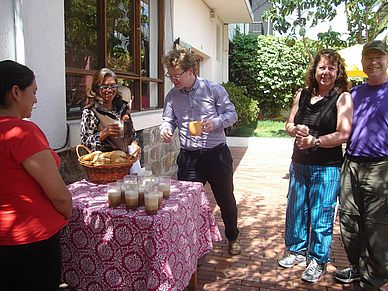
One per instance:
(369, 136)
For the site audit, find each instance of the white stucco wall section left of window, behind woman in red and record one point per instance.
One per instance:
(39, 27)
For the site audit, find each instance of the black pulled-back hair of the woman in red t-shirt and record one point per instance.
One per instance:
(11, 74)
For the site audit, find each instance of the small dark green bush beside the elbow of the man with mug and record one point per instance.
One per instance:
(247, 109)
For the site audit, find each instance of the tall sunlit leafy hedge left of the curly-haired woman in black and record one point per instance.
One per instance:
(271, 68)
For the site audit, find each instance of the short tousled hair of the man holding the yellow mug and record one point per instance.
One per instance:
(180, 58)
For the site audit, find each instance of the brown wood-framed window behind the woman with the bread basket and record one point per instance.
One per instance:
(123, 35)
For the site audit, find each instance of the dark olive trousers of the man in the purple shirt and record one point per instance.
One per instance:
(364, 219)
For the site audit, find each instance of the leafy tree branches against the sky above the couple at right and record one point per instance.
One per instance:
(365, 18)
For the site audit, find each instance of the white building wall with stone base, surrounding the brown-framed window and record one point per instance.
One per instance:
(33, 34)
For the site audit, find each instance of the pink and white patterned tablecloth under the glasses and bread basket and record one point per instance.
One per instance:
(119, 249)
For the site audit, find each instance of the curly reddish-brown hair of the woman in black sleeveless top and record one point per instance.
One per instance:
(341, 82)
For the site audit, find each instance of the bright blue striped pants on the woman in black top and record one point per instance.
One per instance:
(312, 197)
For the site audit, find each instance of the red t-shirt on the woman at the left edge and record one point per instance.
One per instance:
(26, 214)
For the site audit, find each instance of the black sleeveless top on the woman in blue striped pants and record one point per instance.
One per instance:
(321, 118)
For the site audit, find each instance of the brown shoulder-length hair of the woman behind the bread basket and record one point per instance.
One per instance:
(98, 79)
